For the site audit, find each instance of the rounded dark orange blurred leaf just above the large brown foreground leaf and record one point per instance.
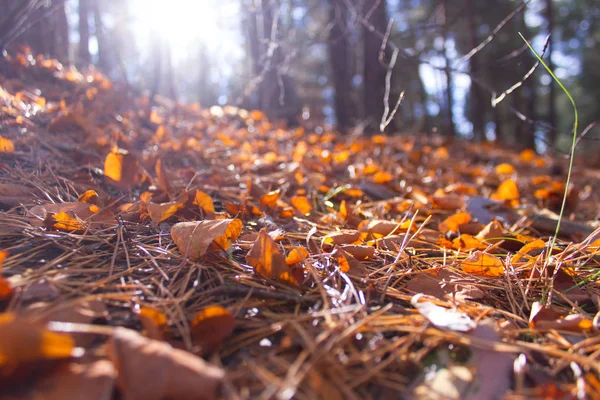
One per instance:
(211, 326)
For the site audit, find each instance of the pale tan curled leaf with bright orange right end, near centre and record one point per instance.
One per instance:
(194, 238)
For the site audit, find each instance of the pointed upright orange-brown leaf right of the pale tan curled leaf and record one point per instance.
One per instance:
(265, 258)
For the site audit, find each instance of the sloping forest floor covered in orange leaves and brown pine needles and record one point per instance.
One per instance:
(189, 253)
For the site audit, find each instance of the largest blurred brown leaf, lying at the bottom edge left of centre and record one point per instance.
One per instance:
(153, 370)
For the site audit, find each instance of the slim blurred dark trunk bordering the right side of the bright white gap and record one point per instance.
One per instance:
(477, 101)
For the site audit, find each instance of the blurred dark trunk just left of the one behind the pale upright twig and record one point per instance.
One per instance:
(339, 52)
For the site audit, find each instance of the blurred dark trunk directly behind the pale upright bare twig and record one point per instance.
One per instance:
(374, 72)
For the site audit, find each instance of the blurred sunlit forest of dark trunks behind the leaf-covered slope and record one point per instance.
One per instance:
(320, 62)
